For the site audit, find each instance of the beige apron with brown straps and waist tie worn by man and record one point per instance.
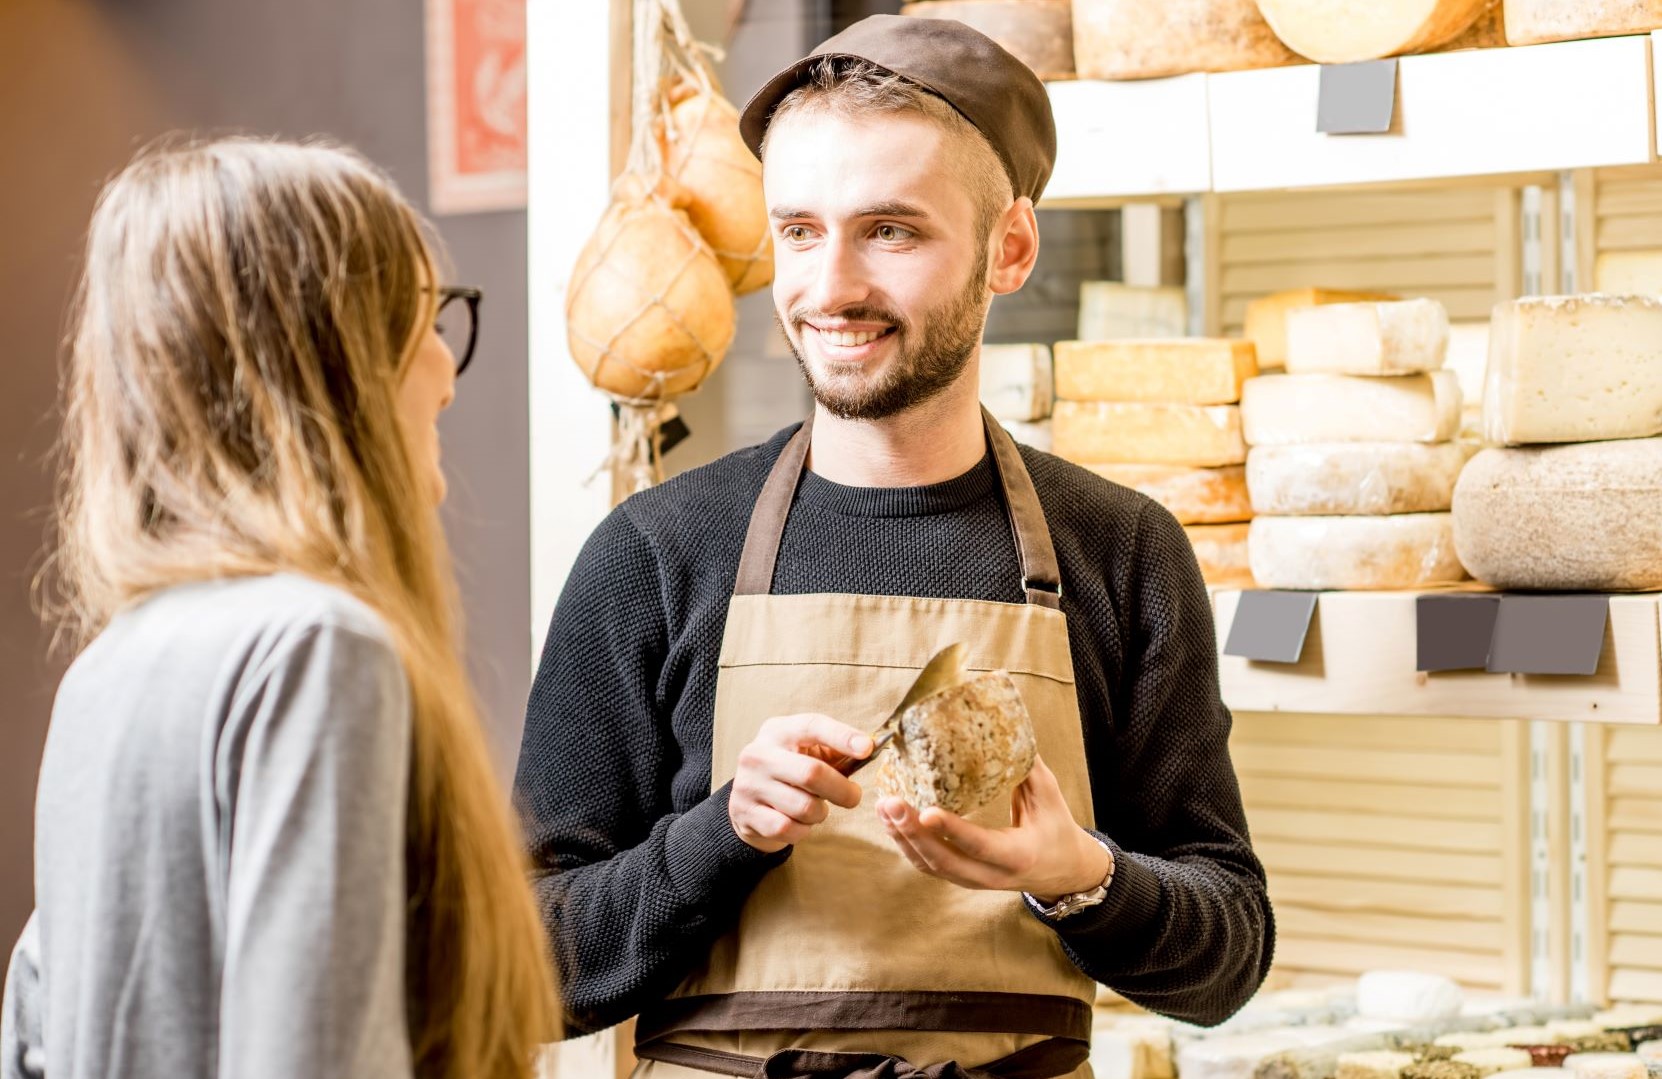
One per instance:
(847, 962)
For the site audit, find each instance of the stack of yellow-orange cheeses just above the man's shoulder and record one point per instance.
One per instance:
(1163, 416)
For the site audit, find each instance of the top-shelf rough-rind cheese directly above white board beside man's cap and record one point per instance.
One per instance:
(1151, 39)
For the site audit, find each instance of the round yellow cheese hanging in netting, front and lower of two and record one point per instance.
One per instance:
(649, 313)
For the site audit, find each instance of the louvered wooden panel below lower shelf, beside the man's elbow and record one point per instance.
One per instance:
(1392, 844)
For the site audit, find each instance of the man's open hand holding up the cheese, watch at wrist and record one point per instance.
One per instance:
(1045, 852)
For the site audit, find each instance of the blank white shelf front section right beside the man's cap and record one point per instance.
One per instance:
(1126, 140)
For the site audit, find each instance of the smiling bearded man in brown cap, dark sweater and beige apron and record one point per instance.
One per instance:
(730, 638)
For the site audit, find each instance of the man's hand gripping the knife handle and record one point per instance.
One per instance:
(785, 779)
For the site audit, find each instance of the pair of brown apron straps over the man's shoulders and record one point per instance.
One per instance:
(1041, 574)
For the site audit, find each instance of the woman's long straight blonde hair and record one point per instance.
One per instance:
(238, 337)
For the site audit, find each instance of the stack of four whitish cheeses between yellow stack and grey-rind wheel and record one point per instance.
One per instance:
(1354, 455)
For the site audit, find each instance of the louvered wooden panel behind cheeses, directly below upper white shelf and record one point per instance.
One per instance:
(1457, 245)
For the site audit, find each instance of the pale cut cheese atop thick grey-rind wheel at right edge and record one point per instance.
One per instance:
(1573, 500)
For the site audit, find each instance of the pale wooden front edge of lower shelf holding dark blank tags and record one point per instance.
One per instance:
(1360, 661)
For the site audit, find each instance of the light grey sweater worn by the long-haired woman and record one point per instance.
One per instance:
(220, 847)
